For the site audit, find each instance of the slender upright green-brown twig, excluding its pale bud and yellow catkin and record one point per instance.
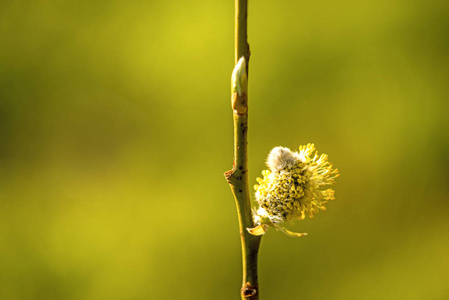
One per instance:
(238, 176)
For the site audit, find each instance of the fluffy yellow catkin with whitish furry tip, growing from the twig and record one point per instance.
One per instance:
(292, 188)
